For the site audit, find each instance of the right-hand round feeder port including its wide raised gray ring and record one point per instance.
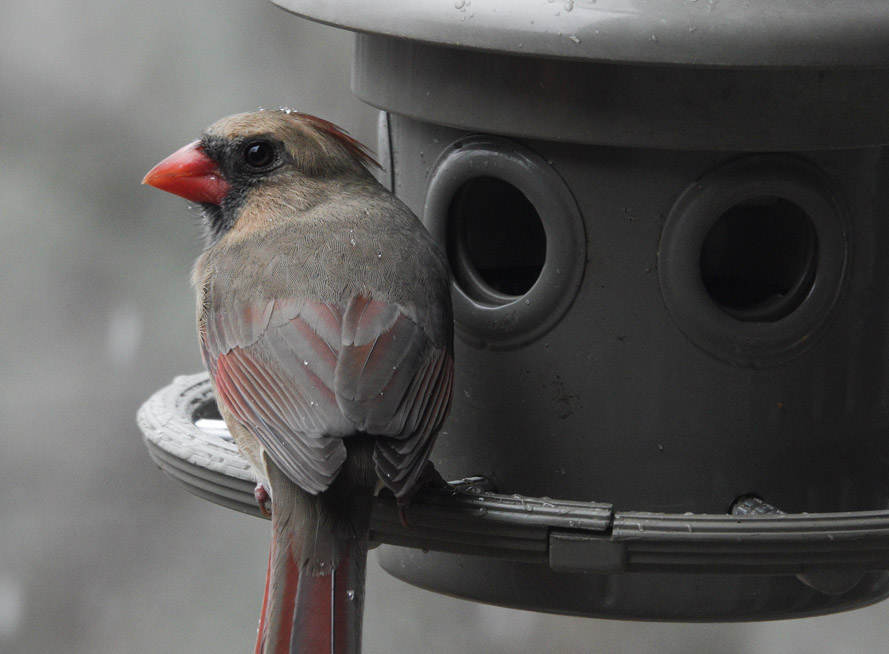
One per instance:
(752, 259)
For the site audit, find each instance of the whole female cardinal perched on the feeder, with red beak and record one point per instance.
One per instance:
(325, 322)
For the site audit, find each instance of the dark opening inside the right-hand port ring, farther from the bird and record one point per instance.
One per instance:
(759, 259)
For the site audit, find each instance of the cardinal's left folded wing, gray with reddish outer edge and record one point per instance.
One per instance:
(273, 364)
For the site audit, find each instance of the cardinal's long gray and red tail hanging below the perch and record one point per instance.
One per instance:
(315, 589)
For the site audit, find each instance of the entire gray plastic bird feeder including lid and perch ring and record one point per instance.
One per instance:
(667, 227)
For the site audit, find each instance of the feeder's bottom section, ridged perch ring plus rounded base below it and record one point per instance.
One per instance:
(576, 558)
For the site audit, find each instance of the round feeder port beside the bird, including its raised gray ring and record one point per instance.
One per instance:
(514, 237)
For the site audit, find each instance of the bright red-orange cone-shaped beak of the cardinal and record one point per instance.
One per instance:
(191, 174)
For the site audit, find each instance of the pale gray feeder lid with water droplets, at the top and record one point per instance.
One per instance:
(767, 33)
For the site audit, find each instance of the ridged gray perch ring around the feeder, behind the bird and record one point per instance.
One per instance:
(568, 536)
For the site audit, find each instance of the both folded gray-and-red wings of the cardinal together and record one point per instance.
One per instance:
(301, 375)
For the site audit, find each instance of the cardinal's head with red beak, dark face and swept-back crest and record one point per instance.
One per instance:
(262, 157)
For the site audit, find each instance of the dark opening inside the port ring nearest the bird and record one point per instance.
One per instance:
(496, 240)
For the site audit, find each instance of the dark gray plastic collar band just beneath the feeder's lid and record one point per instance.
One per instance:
(651, 106)
